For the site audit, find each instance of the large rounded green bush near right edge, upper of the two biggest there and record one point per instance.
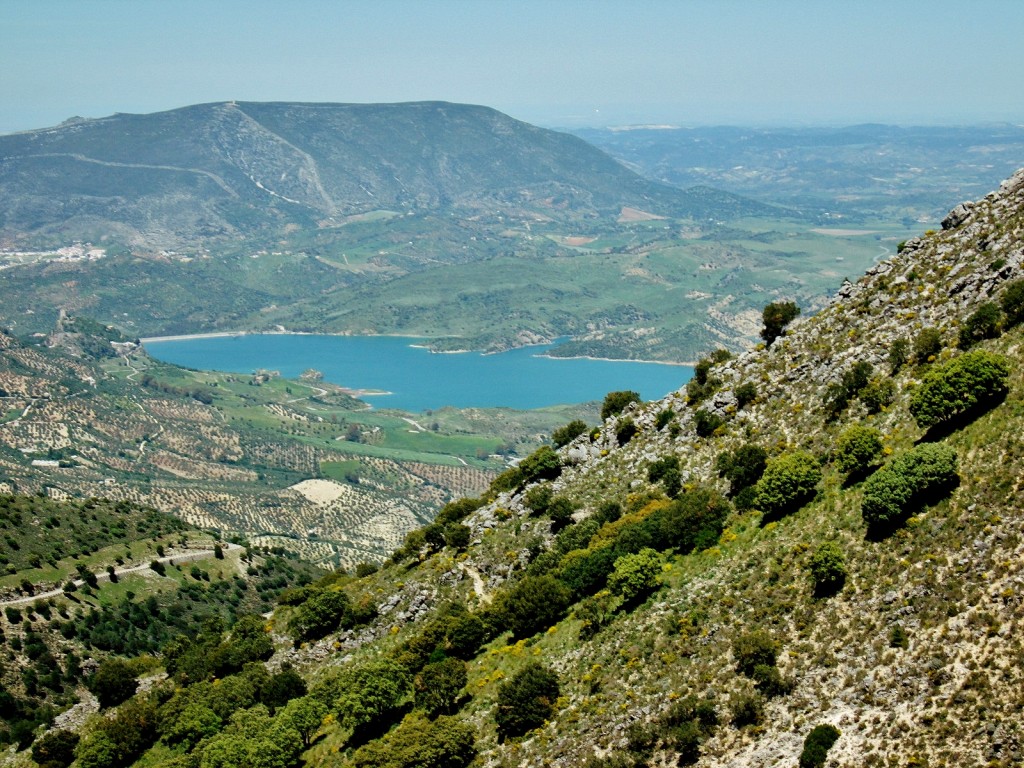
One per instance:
(973, 381)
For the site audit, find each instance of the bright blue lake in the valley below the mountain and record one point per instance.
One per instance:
(419, 380)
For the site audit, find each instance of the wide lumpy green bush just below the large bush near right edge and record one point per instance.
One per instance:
(913, 478)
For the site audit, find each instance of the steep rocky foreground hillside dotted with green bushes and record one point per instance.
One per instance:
(655, 592)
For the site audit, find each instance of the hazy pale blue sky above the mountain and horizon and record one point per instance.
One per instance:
(557, 63)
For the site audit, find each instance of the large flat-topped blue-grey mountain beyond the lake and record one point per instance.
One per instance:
(248, 170)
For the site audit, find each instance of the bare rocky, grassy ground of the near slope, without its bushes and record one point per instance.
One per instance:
(916, 660)
